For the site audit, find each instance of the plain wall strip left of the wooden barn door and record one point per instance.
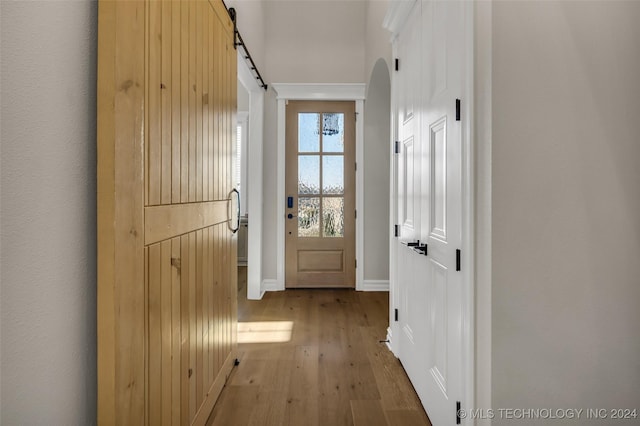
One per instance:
(48, 229)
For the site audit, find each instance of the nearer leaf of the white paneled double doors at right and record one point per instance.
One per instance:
(443, 26)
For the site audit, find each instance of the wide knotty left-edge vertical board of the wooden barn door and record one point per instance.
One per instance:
(121, 99)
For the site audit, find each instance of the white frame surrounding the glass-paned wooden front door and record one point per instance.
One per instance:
(316, 92)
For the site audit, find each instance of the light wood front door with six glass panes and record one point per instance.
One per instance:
(320, 194)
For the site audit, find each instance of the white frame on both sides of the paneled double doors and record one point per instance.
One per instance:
(394, 21)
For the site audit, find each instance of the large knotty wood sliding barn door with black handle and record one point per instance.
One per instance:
(166, 252)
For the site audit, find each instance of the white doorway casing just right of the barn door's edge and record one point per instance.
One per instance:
(254, 174)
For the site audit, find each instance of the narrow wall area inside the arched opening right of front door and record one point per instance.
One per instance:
(377, 127)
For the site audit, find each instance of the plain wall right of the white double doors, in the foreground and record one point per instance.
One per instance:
(566, 205)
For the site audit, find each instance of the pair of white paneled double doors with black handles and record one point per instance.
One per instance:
(429, 178)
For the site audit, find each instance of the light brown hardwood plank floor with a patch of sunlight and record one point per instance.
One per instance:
(314, 357)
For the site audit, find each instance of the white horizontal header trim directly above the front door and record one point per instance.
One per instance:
(320, 91)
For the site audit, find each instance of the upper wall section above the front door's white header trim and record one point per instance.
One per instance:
(315, 41)
